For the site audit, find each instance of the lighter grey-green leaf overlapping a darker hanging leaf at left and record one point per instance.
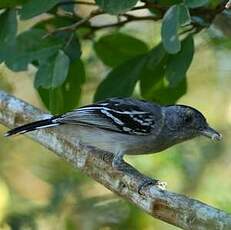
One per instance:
(53, 72)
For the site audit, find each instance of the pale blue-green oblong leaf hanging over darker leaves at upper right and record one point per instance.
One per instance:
(169, 30)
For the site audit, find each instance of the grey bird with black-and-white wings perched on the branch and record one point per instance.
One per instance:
(128, 126)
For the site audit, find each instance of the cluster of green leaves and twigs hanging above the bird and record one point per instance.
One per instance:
(52, 45)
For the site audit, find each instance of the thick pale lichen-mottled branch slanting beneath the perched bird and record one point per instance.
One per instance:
(170, 207)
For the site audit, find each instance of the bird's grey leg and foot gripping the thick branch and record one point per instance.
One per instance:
(119, 164)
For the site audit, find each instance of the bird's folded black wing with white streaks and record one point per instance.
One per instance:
(128, 116)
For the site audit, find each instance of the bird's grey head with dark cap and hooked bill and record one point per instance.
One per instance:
(185, 122)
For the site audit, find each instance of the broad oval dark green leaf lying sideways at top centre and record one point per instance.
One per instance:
(116, 48)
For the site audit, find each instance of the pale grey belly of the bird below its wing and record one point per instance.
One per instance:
(109, 141)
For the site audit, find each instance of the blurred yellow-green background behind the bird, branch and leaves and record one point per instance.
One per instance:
(40, 191)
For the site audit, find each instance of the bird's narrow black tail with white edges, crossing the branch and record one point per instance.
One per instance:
(32, 126)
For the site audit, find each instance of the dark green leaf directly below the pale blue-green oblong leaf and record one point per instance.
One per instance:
(178, 64)
